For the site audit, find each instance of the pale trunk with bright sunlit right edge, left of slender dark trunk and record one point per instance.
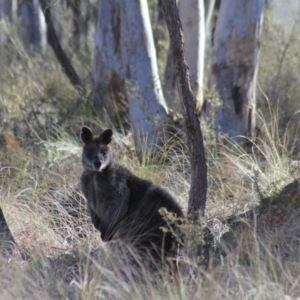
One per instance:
(147, 107)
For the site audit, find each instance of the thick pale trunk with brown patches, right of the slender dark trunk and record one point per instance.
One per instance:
(234, 66)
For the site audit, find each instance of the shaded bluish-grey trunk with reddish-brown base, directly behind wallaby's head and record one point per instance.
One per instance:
(108, 71)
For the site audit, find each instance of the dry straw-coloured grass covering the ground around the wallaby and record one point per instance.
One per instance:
(66, 260)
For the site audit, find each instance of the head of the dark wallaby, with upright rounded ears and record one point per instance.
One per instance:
(96, 155)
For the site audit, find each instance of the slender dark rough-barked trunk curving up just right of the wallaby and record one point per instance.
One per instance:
(197, 198)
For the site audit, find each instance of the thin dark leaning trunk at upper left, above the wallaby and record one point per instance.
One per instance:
(57, 48)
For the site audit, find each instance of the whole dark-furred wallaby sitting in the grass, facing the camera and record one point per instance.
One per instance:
(121, 204)
